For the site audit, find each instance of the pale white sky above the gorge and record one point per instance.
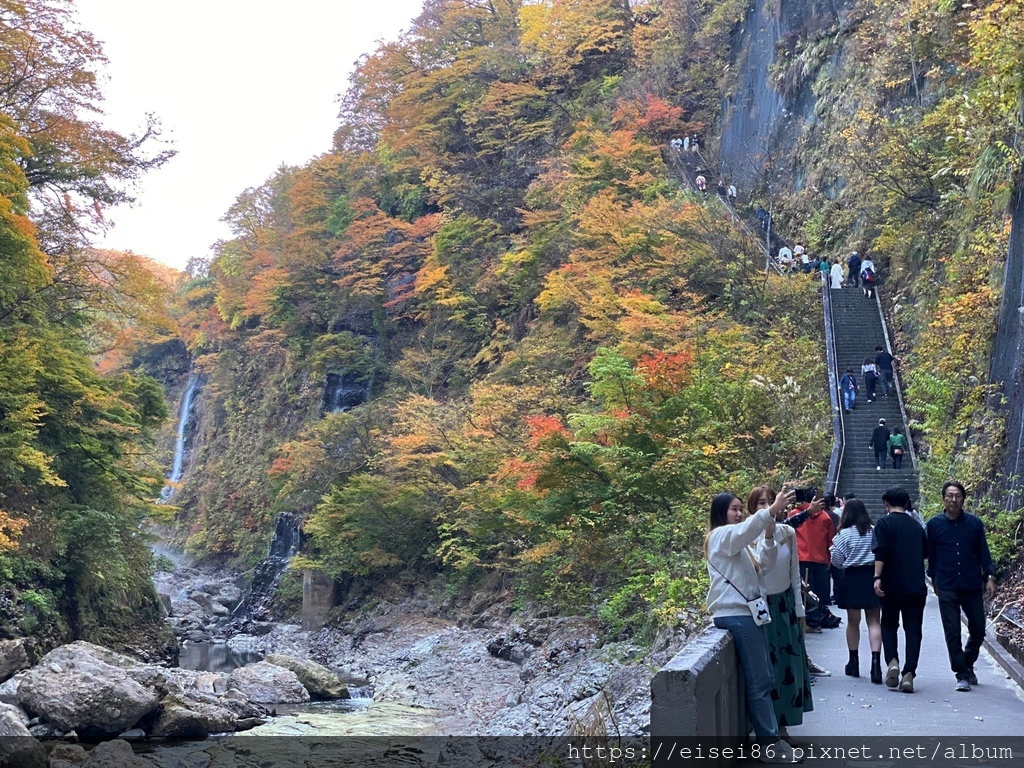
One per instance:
(241, 88)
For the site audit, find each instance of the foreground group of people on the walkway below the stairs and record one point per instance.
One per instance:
(759, 584)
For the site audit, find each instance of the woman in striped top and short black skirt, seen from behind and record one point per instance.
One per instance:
(851, 551)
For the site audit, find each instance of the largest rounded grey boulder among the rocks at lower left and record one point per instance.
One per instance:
(84, 688)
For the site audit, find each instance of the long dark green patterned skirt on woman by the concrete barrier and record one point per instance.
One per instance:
(792, 695)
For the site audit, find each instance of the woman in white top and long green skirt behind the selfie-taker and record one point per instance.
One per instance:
(792, 695)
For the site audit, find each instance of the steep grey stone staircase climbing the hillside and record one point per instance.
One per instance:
(858, 328)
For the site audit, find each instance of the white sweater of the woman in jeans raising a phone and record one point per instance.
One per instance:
(731, 557)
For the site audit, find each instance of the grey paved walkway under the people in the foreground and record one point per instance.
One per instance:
(856, 707)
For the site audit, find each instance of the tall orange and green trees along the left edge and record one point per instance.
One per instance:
(76, 477)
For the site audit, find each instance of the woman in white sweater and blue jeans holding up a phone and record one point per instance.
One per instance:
(736, 601)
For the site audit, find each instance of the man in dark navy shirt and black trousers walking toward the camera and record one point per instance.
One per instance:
(961, 569)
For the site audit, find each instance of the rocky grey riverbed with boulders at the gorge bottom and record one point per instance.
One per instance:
(432, 668)
